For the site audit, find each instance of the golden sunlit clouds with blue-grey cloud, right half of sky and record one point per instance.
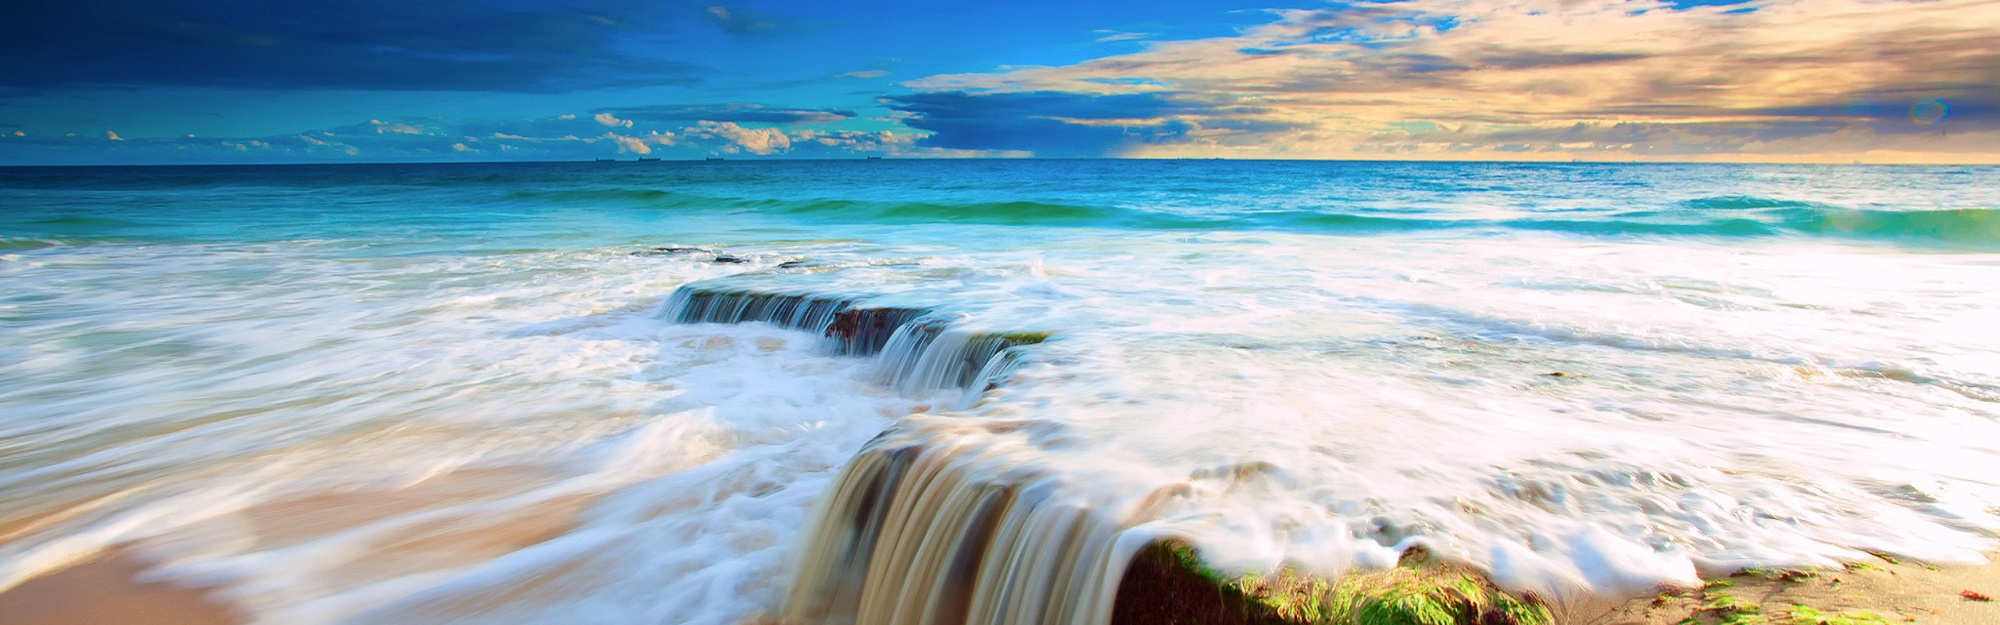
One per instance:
(1517, 81)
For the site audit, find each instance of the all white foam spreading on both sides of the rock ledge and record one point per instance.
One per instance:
(1321, 400)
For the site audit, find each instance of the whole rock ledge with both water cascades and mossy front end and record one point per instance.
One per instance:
(935, 524)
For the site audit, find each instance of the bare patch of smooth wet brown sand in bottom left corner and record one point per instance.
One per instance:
(107, 592)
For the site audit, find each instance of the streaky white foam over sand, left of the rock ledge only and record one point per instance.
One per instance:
(561, 428)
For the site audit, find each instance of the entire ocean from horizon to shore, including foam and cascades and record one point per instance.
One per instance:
(759, 392)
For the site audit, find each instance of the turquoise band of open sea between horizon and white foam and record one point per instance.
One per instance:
(1949, 207)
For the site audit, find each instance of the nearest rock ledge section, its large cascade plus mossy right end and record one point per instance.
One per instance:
(929, 528)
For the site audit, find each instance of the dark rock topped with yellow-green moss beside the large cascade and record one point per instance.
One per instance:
(1169, 586)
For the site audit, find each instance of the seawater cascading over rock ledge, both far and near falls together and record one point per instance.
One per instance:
(921, 530)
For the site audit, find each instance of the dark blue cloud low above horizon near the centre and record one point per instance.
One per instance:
(1041, 123)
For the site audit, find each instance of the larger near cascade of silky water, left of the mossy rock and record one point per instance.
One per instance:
(921, 532)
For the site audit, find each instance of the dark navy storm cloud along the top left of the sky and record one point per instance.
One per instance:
(373, 45)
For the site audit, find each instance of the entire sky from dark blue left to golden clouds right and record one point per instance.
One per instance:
(441, 81)
